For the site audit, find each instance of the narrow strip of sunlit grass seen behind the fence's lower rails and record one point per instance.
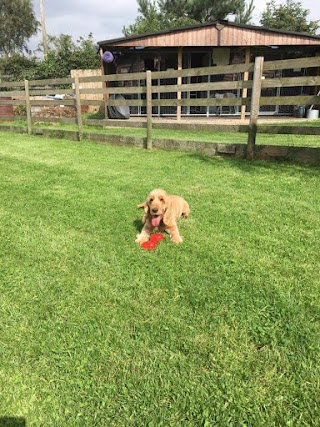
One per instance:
(196, 135)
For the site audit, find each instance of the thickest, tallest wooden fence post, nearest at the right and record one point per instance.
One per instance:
(255, 106)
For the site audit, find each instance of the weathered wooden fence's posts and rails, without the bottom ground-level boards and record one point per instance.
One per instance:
(147, 94)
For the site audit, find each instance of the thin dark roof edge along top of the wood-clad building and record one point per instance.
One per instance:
(208, 24)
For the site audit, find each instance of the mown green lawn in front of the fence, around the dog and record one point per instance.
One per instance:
(222, 330)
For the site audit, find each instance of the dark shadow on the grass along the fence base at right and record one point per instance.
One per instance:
(254, 166)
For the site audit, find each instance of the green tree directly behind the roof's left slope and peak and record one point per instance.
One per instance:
(157, 15)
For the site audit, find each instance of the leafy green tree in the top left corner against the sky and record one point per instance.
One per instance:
(18, 23)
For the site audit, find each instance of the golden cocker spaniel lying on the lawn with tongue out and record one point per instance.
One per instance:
(162, 210)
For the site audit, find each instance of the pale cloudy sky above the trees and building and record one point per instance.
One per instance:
(106, 18)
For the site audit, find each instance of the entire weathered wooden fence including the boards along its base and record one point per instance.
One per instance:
(146, 90)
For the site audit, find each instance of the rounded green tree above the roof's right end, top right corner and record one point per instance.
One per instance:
(290, 16)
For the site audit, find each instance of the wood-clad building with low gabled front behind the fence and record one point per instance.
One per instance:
(211, 44)
